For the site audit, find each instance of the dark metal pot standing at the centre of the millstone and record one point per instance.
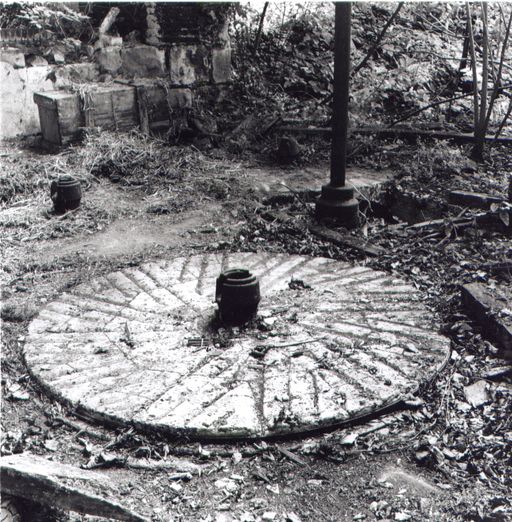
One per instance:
(237, 294)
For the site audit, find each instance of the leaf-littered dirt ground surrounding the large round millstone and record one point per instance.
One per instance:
(426, 461)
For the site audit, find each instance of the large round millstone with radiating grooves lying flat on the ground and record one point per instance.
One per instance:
(331, 342)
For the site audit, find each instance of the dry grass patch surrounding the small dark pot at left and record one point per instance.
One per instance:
(173, 179)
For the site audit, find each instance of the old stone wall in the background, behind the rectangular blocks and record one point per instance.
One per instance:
(184, 45)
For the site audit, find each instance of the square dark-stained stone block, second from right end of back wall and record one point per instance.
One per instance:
(188, 64)
